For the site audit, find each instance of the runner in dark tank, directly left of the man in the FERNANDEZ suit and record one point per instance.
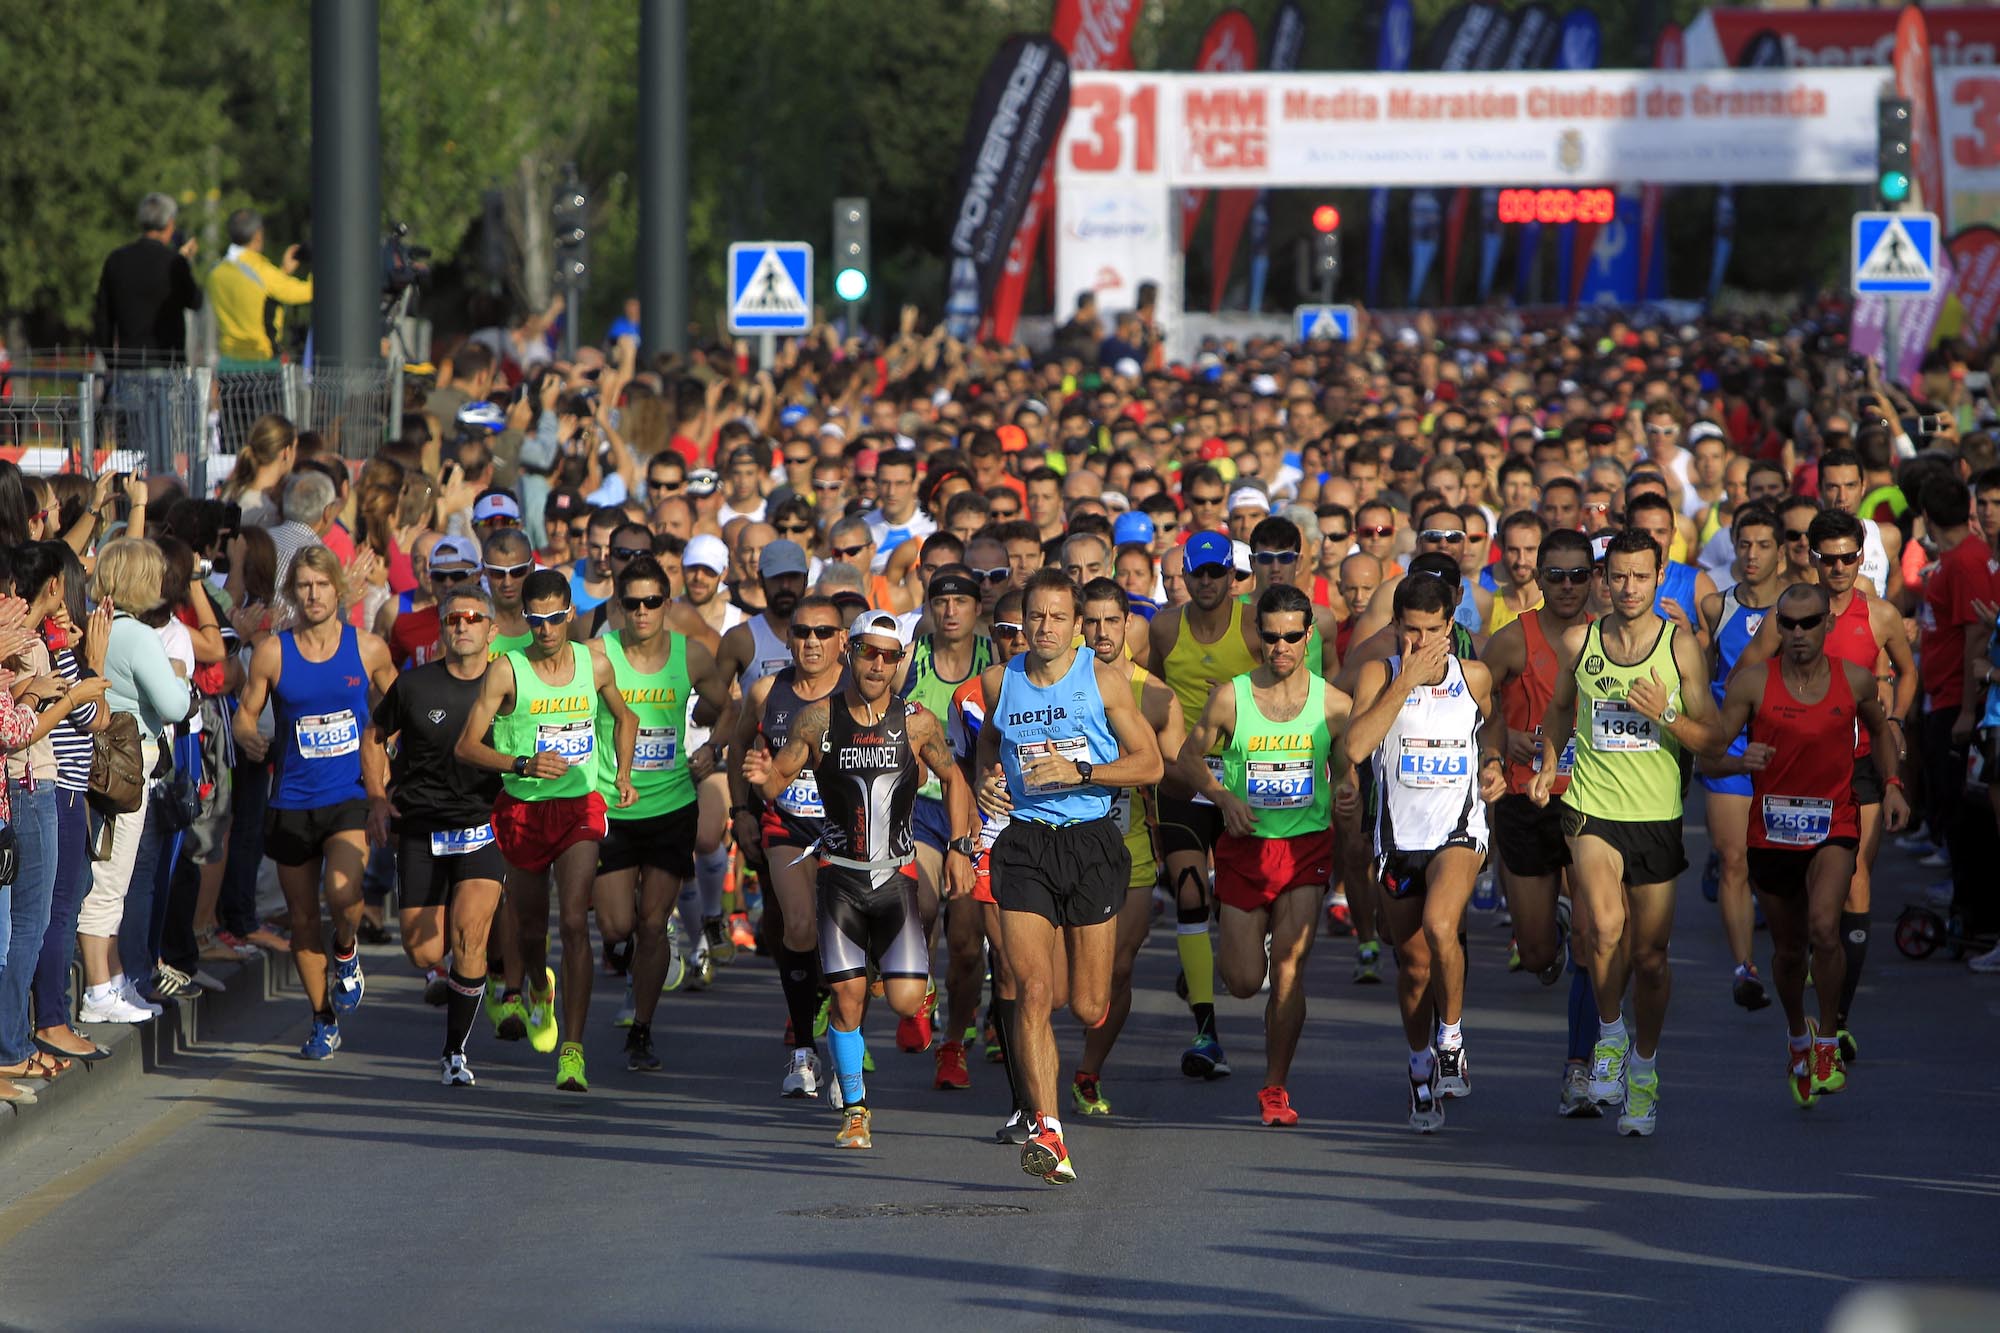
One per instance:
(791, 824)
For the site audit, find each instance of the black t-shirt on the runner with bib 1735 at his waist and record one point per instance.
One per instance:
(429, 784)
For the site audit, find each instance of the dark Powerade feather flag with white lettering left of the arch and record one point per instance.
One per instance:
(1017, 115)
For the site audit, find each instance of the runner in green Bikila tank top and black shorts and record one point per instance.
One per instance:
(649, 844)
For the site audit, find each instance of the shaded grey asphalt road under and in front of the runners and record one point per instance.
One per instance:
(249, 1188)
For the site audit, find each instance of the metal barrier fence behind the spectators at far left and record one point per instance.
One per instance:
(69, 411)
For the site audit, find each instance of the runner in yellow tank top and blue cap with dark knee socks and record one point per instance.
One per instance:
(1195, 647)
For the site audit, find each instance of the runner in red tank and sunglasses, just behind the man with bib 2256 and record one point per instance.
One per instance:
(1869, 633)
